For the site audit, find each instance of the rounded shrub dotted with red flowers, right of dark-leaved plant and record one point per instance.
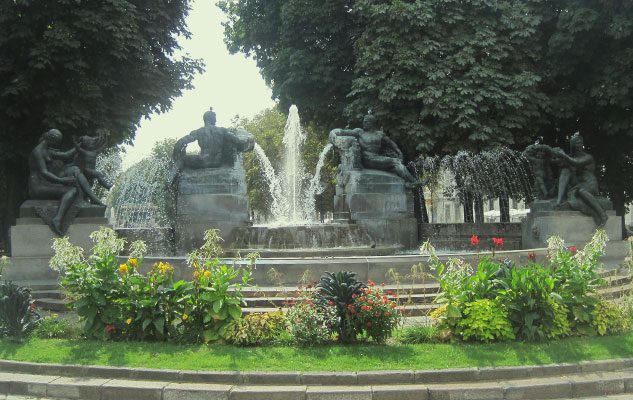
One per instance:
(373, 313)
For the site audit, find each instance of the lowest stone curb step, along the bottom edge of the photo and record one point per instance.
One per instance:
(563, 387)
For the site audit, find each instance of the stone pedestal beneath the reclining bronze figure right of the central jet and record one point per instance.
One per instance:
(380, 202)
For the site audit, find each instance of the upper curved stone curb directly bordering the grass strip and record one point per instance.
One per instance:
(361, 378)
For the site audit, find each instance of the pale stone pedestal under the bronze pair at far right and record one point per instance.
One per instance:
(574, 227)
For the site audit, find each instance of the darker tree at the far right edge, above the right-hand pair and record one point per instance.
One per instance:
(588, 62)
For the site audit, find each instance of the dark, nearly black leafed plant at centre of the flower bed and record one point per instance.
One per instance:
(338, 290)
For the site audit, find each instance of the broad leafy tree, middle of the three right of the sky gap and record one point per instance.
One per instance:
(447, 75)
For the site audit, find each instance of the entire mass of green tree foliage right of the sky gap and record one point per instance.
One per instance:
(446, 75)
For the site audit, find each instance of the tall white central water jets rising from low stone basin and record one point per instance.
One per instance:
(294, 226)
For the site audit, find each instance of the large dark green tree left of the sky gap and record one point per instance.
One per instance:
(83, 67)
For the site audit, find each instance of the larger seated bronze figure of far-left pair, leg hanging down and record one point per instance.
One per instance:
(53, 176)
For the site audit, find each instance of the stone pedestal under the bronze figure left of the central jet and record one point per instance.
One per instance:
(212, 198)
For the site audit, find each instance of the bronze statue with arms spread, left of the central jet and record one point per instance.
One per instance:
(218, 146)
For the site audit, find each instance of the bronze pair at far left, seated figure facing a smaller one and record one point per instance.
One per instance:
(65, 176)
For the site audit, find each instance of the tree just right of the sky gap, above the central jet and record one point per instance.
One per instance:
(304, 50)
